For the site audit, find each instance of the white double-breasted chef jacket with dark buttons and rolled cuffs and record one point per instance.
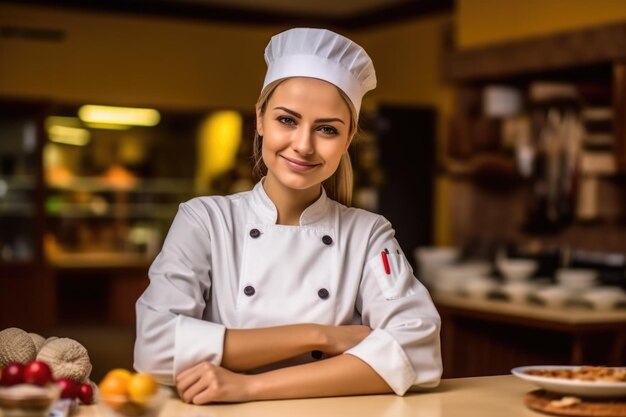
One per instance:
(226, 264)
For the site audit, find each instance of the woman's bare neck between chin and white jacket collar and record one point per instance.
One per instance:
(290, 203)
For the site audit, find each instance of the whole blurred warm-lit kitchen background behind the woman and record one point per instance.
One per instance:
(495, 143)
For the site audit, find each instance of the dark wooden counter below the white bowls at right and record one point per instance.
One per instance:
(492, 337)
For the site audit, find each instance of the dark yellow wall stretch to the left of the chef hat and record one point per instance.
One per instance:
(130, 60)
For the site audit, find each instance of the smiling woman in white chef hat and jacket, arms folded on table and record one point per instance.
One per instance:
(285, 291)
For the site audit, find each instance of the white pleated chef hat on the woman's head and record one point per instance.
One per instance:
(320, 53)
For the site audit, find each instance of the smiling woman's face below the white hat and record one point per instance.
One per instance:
(306, 131)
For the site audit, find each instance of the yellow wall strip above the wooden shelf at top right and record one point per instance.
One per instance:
(482, 22)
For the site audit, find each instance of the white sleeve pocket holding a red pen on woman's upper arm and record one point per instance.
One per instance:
(393, 274)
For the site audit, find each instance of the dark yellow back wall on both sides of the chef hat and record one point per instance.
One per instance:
(129, 60)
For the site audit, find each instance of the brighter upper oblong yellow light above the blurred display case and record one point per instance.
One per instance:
(130, 116)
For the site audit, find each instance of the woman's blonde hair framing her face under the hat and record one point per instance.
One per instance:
(339, 185)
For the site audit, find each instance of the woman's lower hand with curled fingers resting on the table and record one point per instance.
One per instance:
(204, 383)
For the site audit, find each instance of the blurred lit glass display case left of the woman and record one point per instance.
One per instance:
(112, 190)
